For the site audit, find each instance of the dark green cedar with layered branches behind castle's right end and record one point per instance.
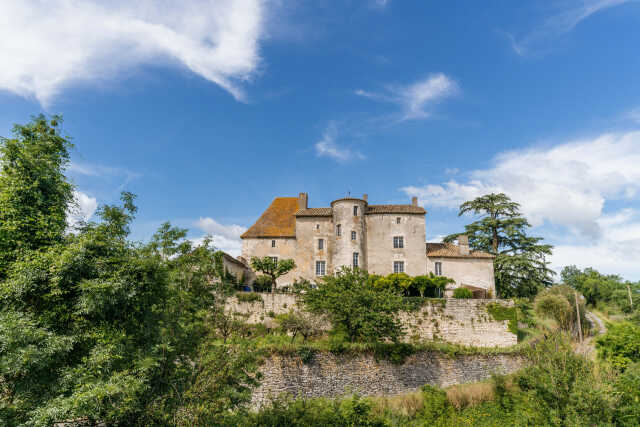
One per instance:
(520, 265)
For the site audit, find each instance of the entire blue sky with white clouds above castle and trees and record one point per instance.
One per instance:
(210, 109)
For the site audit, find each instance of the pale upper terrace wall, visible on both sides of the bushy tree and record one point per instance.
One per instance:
(458, 321)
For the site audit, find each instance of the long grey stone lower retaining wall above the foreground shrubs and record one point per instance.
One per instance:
(329, 375)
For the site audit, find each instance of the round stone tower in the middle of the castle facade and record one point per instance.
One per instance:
(350, 233)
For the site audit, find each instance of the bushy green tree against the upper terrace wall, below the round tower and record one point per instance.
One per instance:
(354, 307)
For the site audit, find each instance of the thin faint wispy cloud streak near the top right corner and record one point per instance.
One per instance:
(559, 24)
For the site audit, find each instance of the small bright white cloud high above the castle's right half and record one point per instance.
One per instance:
(416, 99)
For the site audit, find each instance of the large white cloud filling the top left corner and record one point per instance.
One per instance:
(47, 46)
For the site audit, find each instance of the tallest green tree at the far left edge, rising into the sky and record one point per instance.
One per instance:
(35, 196)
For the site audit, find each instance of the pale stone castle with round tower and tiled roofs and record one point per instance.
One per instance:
(382, 239)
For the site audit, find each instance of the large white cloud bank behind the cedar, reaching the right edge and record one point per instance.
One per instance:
(565, 186)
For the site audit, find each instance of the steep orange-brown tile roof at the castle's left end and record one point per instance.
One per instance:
(277, 221)
